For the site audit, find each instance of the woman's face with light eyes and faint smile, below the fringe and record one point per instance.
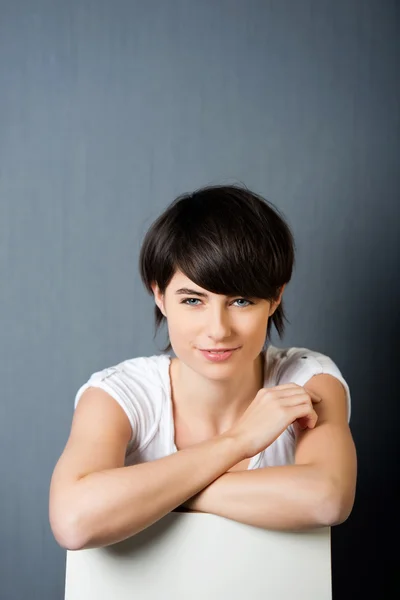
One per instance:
(199, 320)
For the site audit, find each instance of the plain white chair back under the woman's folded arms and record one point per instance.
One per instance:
(197, 556)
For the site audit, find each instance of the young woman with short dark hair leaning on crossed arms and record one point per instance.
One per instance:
(230, 425)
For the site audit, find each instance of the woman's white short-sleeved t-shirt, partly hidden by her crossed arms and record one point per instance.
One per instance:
(142, 387)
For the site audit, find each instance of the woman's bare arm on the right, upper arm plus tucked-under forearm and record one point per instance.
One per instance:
(318, 490)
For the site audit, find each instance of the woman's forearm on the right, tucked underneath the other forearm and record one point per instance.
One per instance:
(292, 497)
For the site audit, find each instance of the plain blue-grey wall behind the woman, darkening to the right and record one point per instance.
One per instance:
(108, 109)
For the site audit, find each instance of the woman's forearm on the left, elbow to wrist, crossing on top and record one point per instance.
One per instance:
(109, 506)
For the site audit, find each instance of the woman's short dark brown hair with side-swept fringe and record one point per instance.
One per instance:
(226, 239)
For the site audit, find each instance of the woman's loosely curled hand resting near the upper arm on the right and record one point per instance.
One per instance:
(270, 413)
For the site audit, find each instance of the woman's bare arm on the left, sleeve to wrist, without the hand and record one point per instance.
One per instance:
(96, 501)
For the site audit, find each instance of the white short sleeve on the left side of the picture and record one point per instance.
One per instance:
(131, 386)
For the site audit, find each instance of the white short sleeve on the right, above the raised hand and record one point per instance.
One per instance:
(300, 364)
